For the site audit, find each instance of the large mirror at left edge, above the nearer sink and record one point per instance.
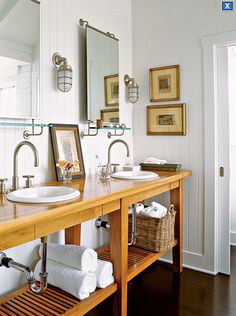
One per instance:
(19, 58)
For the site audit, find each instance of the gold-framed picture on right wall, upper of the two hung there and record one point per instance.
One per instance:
(164, 83)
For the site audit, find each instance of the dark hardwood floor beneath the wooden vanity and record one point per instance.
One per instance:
(158, 291)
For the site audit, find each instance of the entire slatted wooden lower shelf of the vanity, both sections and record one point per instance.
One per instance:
(55, 302)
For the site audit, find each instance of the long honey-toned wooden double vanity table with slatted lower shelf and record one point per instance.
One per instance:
(21, 223)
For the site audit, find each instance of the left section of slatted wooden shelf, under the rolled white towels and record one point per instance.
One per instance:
(52, 302)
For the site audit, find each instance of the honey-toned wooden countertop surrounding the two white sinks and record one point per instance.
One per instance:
(93, 194)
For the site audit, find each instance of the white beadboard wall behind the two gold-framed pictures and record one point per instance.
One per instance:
(167, 33)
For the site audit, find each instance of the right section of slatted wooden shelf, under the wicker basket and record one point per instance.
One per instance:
(138, 259)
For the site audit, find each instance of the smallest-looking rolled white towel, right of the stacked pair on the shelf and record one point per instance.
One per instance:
(104, 274)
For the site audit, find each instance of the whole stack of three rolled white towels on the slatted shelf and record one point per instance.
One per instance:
(76, 269)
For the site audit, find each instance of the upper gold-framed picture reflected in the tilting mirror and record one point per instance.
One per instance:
(111, 90)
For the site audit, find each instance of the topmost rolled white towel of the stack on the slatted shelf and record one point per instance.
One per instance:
(79, 257)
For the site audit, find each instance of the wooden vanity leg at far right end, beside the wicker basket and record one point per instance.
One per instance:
(176, 197)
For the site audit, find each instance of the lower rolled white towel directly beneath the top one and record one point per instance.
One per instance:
(78, 283)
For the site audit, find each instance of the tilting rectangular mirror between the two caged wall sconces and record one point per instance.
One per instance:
(102, 75)
